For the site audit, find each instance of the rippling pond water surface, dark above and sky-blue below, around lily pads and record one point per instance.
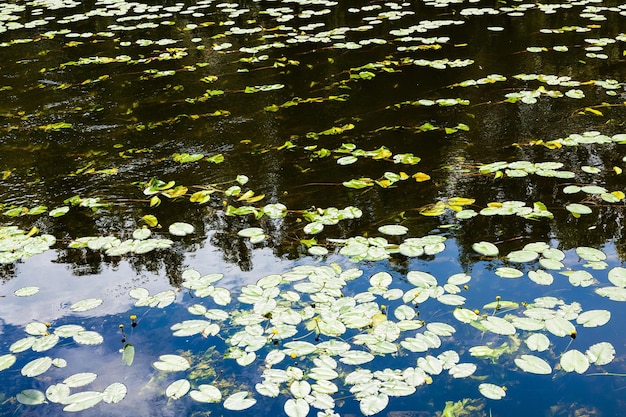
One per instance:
(97, 98)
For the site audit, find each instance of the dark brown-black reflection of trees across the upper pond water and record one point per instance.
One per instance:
(112, 122)
